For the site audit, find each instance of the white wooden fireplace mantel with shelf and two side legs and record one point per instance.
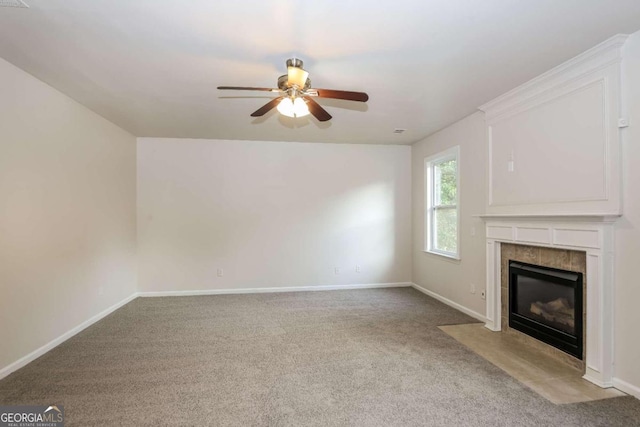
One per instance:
(592, 234)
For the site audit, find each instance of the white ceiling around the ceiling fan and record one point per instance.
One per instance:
(152, 66)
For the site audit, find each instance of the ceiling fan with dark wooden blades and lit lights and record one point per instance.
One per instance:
(296, 94)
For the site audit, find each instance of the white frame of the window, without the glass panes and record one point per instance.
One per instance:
(429, 193)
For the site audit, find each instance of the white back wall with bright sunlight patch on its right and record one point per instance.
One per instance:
(271, 214)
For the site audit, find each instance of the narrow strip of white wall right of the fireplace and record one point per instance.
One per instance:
(627, 274)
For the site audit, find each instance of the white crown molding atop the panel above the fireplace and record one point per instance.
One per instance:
(600, 56)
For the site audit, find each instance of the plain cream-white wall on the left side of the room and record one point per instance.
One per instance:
(67, 214)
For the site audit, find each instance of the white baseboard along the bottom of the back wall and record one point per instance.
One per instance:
(271, 290)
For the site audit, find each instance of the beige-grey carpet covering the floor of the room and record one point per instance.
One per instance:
(335, 358)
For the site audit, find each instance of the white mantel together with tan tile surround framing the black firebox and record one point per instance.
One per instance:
(578, 243)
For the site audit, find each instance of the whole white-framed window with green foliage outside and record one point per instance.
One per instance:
(442, 195)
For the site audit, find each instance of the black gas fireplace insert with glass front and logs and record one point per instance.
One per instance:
(546, 303)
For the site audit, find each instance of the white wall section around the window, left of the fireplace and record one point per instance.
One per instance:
(448, 278)
